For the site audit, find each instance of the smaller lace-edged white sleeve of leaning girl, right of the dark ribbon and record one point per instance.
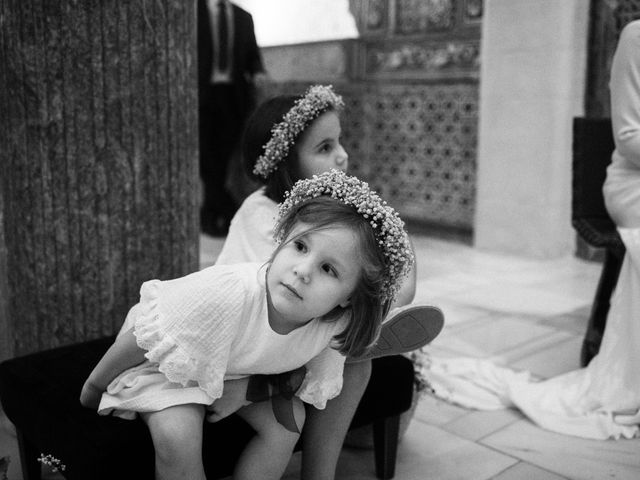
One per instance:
(323, 380)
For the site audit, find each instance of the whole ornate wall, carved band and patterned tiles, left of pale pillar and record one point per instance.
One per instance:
(411, 87)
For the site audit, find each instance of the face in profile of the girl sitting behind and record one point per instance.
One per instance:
(319, 149)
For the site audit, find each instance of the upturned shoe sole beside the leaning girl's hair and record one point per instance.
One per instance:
(409, 330)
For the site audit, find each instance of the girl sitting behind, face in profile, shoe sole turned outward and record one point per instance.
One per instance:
(286, 139)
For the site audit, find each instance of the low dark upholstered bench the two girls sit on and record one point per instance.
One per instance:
(39, 394)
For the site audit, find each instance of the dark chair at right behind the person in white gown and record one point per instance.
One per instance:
(592, 148)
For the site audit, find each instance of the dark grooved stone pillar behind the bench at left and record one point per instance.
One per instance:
(98, 156)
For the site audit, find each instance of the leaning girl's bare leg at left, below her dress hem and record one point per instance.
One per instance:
(177, 439)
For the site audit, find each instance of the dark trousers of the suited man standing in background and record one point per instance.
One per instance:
(221, 122)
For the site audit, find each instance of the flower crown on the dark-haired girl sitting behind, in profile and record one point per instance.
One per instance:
(317, 100)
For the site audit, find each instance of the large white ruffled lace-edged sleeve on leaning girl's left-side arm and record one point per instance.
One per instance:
(187, 325)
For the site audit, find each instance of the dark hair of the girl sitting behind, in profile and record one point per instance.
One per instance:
(257, 133)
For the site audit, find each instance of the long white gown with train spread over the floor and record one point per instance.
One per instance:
(583, 402)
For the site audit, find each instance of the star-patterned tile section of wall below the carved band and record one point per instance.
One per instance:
(415, 145)
